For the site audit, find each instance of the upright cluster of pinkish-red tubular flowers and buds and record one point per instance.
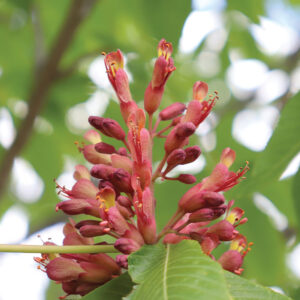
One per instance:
(117, 192)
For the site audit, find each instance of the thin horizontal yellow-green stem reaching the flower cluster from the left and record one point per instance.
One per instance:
(57, 249)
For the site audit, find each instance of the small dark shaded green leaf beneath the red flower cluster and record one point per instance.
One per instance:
(115, 289)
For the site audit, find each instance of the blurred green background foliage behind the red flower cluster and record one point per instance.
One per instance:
(135, 27)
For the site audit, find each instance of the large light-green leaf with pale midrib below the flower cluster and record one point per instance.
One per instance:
(182, 271)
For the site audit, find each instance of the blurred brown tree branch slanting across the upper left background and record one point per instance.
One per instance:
(78, 11)
